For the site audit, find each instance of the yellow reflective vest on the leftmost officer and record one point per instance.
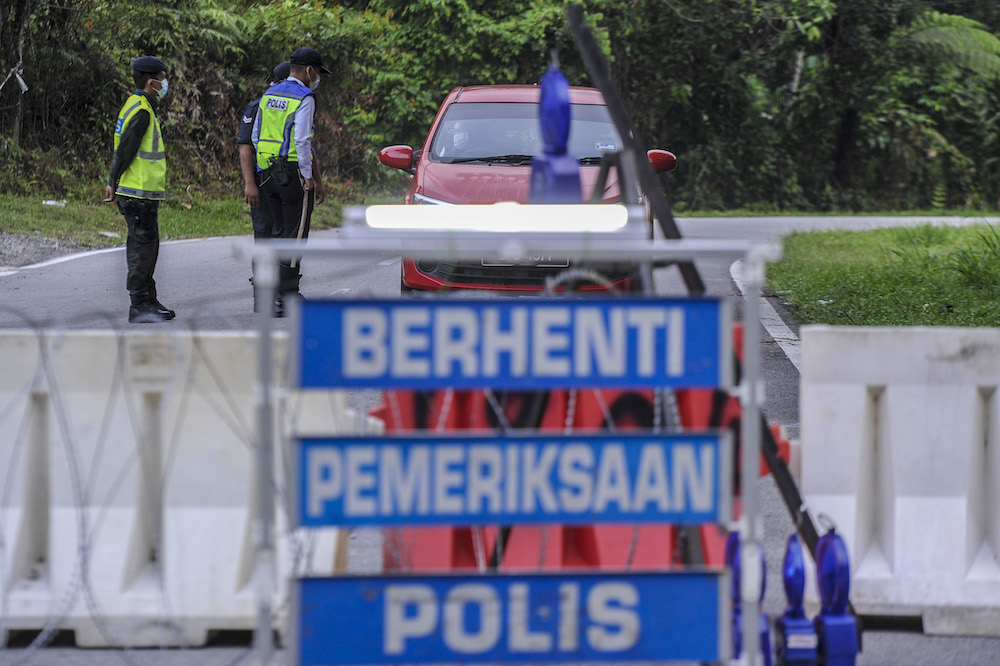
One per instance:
(146, 176)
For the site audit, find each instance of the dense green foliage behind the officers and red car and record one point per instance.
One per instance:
(769, 104)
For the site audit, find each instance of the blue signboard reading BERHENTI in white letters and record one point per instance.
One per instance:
(513, 343)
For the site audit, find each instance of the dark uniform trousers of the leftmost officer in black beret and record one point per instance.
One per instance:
(142, 247)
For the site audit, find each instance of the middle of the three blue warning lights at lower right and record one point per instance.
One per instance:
(795, 637)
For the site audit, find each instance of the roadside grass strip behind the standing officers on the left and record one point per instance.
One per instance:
(93, 224)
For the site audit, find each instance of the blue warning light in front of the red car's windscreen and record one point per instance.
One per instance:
(555, 176)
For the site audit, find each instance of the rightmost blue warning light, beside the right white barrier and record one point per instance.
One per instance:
(836, 629)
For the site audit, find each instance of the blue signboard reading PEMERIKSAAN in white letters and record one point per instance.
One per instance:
(680, 478)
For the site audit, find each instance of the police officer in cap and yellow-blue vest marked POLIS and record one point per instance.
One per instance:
(282, 138)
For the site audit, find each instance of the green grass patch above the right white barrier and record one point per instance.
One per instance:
(907, 276)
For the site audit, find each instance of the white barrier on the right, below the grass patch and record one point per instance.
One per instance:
(901, 448)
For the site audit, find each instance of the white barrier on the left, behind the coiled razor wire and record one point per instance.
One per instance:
(127, 484)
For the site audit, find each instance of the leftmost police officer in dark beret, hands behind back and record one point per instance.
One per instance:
(137, 181)
